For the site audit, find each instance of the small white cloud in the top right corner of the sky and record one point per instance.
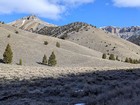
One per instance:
(127, 3)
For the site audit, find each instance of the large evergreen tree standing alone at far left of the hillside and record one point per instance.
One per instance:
(8, 55)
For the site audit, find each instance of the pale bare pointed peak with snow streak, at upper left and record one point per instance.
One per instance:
(30, 23)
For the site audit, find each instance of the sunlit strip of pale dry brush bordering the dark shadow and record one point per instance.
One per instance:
(29, 72)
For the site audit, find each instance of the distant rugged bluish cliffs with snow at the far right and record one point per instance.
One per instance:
(125, 32)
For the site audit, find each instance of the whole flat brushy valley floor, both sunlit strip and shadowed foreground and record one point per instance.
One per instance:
(21, 85)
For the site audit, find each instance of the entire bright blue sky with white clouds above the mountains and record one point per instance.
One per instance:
(96, 12)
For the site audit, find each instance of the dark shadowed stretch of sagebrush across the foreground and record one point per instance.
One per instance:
(117, 87)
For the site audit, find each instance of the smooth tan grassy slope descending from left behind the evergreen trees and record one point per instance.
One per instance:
(30, 48)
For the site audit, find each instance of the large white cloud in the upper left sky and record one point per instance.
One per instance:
(45, 8)
